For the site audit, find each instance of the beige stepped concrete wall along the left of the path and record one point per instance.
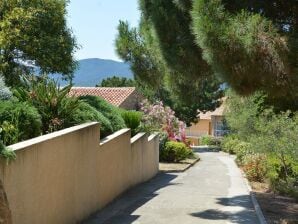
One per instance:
(65, 176)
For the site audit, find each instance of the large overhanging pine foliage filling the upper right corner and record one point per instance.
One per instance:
(251, 45)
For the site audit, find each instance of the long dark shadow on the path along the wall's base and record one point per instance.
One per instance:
(121, 209)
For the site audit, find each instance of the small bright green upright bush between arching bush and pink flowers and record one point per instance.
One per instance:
(132, 120)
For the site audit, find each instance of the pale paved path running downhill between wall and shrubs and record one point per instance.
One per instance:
(213, 191)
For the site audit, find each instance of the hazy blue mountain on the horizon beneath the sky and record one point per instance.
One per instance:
(91, 71)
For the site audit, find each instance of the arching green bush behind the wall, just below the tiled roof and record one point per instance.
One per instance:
(109, 111)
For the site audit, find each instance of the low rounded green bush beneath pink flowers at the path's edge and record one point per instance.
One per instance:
(175, 152)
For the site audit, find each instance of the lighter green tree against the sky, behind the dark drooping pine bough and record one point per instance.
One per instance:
(160, 82)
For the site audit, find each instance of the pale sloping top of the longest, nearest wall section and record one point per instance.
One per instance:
(43, 138)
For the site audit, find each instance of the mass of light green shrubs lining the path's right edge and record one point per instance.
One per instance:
(267, 133)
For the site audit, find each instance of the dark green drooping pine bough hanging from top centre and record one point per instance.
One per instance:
(170, 21)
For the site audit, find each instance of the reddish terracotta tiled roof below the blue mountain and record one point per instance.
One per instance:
(114, 95)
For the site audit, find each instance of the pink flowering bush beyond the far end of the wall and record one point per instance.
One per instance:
(160, 118)
